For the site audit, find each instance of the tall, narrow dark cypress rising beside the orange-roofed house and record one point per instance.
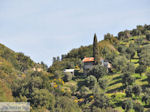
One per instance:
(95, 50)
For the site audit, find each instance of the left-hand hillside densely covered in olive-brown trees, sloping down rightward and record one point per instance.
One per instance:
(23, 80)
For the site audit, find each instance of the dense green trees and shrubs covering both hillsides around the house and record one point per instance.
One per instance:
(124, 88)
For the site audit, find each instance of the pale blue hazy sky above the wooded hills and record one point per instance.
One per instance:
(43, 29)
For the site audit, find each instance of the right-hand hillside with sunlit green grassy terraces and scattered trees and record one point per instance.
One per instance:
(126, 53)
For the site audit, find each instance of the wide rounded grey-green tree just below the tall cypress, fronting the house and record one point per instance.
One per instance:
(98, 71)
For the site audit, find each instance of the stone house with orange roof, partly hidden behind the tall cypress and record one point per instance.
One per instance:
(89, 62)
